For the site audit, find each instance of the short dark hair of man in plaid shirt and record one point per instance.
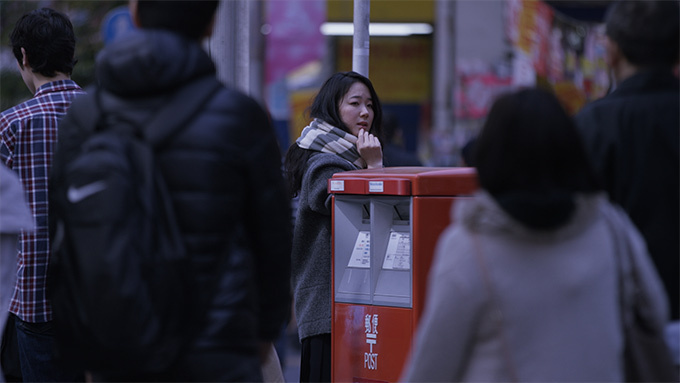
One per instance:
(48, 39)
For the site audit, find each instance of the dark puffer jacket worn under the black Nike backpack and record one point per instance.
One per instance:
(223, 172)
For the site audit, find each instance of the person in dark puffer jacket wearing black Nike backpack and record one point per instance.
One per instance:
(222, 173)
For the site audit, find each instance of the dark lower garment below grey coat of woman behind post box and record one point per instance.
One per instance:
(315, 359)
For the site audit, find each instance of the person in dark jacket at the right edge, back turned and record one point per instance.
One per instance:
(633, 134)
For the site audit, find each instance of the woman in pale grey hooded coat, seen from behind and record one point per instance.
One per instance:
(524, 285)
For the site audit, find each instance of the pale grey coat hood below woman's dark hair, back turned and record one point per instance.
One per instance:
(483, 214)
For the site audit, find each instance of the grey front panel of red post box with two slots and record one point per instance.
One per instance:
(372, 250)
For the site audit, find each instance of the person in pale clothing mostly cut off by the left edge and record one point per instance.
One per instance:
(15, 217)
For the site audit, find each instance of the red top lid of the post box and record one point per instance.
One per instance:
(408, 180)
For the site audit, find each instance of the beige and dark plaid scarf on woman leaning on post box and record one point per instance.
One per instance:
(326, 138)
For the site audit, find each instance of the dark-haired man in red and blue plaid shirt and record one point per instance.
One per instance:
(43, 43)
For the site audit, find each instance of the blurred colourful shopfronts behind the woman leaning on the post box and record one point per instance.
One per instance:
(436, 65)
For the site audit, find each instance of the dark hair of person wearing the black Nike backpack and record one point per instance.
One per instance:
(188, 18)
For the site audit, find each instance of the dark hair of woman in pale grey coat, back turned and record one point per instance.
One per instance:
(530, 158)
